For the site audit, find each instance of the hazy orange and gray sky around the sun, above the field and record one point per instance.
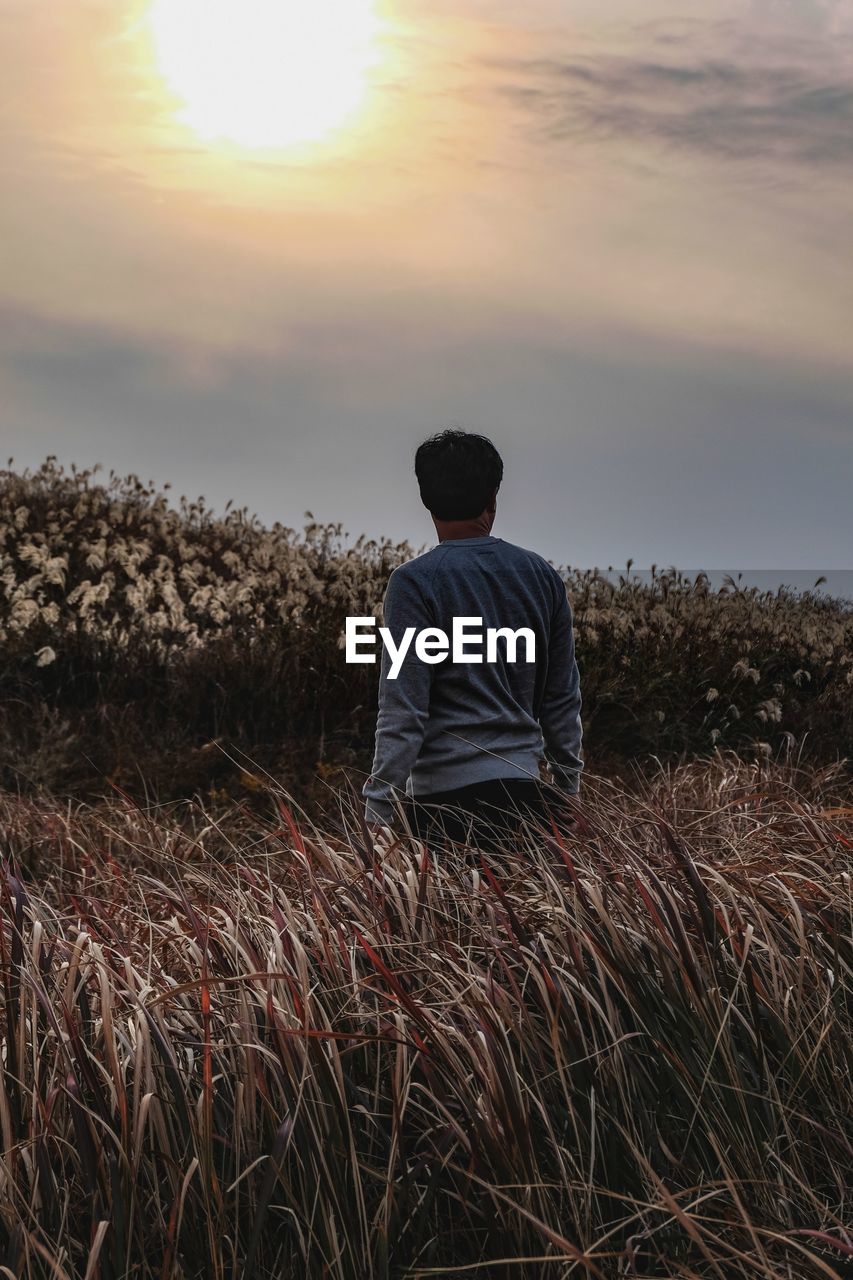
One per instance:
(614, 235)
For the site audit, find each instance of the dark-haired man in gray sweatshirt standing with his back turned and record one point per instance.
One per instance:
(464, 743)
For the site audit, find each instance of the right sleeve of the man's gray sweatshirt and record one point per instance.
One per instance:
(560, 714)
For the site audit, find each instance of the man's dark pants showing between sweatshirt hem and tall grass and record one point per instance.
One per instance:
(482, 815)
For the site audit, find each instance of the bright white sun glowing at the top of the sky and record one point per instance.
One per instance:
(266, 74)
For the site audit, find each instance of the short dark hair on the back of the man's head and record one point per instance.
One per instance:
(458, 473)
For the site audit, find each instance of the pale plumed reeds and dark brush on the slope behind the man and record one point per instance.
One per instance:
(158, 642)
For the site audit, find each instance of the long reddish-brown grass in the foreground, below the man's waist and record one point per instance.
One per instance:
(256, 1048)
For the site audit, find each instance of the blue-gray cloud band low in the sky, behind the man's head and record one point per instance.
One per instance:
(630, 447)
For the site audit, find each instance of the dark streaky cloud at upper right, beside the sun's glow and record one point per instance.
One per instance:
(729, 109)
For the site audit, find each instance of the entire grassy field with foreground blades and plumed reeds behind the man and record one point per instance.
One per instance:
(241, 1041)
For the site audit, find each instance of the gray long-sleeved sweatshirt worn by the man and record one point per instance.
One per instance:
(450, 724)
